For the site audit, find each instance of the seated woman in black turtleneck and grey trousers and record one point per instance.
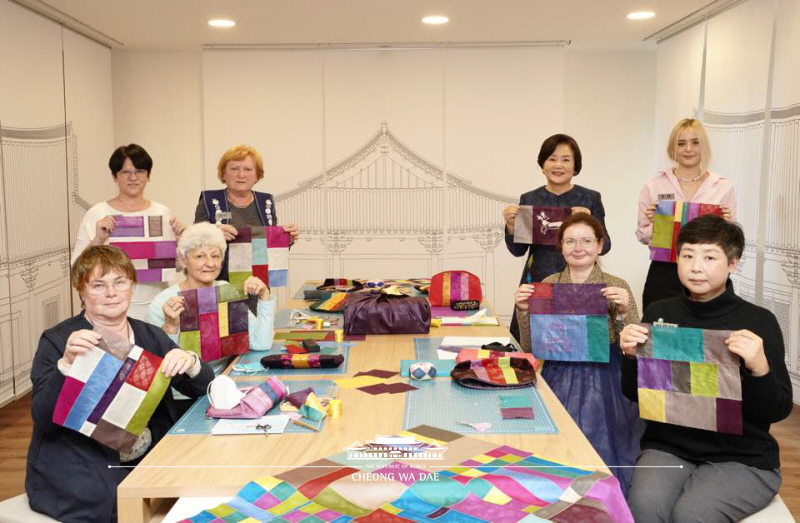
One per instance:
(722, 477)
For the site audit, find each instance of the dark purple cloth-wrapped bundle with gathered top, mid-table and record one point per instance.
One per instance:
(380, 313)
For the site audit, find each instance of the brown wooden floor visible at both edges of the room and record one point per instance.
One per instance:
(15, 433)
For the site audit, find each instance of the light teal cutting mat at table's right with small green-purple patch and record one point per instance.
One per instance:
(441, 403)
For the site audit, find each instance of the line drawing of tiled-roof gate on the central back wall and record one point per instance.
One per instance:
(385, 190)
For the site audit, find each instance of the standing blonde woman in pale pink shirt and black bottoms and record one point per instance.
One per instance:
(689, 180)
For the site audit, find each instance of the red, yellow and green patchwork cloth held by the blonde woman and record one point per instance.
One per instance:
(670, 216)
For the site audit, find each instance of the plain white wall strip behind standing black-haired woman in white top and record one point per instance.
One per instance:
(158, 104)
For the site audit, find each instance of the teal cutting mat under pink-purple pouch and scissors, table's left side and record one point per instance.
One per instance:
(194, 421)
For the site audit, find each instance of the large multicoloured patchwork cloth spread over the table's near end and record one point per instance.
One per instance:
(495, 483)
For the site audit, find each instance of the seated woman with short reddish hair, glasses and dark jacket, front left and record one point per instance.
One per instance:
(70, 476)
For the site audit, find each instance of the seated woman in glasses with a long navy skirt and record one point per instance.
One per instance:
(592, 392)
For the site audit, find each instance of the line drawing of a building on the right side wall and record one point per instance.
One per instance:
(737, 141)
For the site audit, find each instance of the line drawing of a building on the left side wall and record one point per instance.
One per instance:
(34, 251)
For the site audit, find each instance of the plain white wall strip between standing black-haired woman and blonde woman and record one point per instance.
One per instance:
(609, 108)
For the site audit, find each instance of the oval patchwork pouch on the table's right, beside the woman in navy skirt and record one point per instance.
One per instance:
(495, 373)
